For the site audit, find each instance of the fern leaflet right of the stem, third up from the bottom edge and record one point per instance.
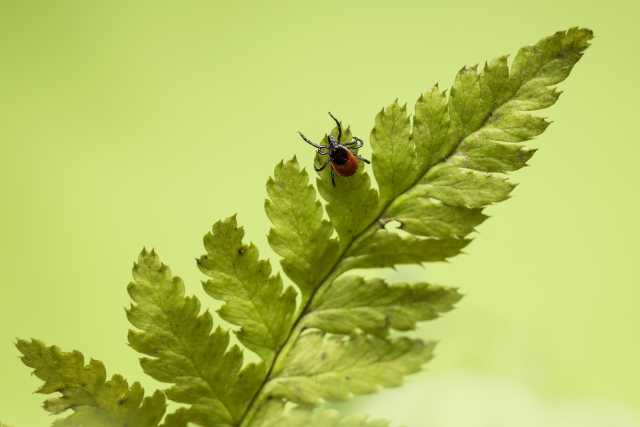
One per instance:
(354, 305)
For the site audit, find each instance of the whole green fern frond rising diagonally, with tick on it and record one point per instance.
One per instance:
(436, 170)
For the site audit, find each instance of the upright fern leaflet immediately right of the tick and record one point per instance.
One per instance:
(394, 157)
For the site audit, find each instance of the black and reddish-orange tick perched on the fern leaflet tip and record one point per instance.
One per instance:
(344, 158)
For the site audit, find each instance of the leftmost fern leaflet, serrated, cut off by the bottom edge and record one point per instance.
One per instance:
(84, 389)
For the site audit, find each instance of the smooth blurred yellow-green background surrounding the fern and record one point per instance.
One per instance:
(125, 124)
